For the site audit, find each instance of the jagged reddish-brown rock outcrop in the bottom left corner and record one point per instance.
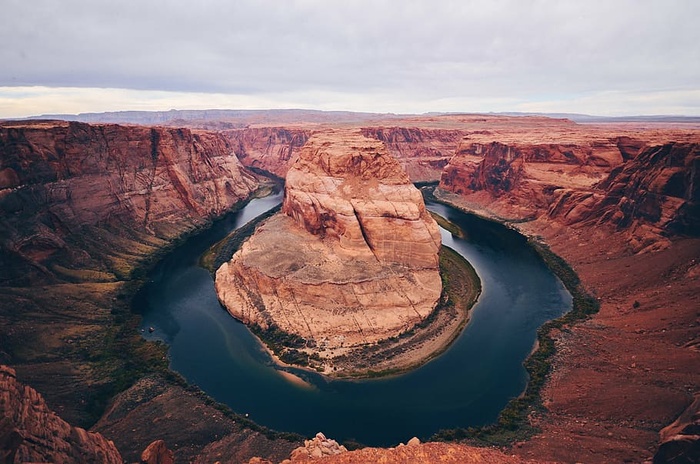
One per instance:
(30, 432)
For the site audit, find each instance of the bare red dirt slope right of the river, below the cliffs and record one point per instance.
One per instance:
(633, 368)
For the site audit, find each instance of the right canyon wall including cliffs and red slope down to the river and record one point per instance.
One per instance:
(622, 211)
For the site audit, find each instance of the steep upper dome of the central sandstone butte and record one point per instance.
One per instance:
(350, 189)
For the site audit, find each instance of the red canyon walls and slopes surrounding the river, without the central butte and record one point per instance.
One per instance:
(86, 206)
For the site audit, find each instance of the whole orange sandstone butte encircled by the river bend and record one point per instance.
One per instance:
(352, 259)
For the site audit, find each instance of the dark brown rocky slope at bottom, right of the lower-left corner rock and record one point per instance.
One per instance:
(153, 413)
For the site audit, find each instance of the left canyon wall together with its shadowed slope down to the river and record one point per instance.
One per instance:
(81, 206)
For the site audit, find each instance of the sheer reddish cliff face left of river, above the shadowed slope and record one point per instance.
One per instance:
(71, 190)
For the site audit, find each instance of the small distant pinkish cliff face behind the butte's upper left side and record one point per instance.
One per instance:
(271, 149)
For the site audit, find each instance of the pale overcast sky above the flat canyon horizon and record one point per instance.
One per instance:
(606, 58)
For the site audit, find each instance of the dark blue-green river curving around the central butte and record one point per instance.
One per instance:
(468, 385)
